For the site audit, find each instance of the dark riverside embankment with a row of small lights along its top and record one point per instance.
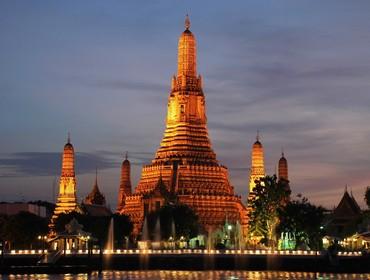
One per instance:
(84, 262)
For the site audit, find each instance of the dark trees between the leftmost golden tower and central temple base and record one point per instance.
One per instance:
(98, 226)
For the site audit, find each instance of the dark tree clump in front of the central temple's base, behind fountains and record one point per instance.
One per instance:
(181, 216)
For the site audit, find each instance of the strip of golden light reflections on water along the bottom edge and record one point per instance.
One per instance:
(193, 275)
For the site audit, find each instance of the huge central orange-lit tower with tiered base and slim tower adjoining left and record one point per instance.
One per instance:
(185, 167)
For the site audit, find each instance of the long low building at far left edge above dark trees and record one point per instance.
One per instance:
(14, 208)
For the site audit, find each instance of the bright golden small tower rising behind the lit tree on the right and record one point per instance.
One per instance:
(257, 169)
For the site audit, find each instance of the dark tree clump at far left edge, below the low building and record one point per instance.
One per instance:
(22, 229)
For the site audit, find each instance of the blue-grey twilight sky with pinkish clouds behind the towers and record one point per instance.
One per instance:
(298, 71)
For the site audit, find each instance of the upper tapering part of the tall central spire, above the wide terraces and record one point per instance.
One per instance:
(186, 136)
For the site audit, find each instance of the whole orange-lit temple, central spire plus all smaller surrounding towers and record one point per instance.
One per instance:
(185, 168)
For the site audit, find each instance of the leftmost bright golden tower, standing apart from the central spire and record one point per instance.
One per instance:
(67, 199)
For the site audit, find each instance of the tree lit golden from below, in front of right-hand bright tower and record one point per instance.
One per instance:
(268, 198)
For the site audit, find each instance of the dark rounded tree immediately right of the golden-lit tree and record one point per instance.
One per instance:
(304, 220)
